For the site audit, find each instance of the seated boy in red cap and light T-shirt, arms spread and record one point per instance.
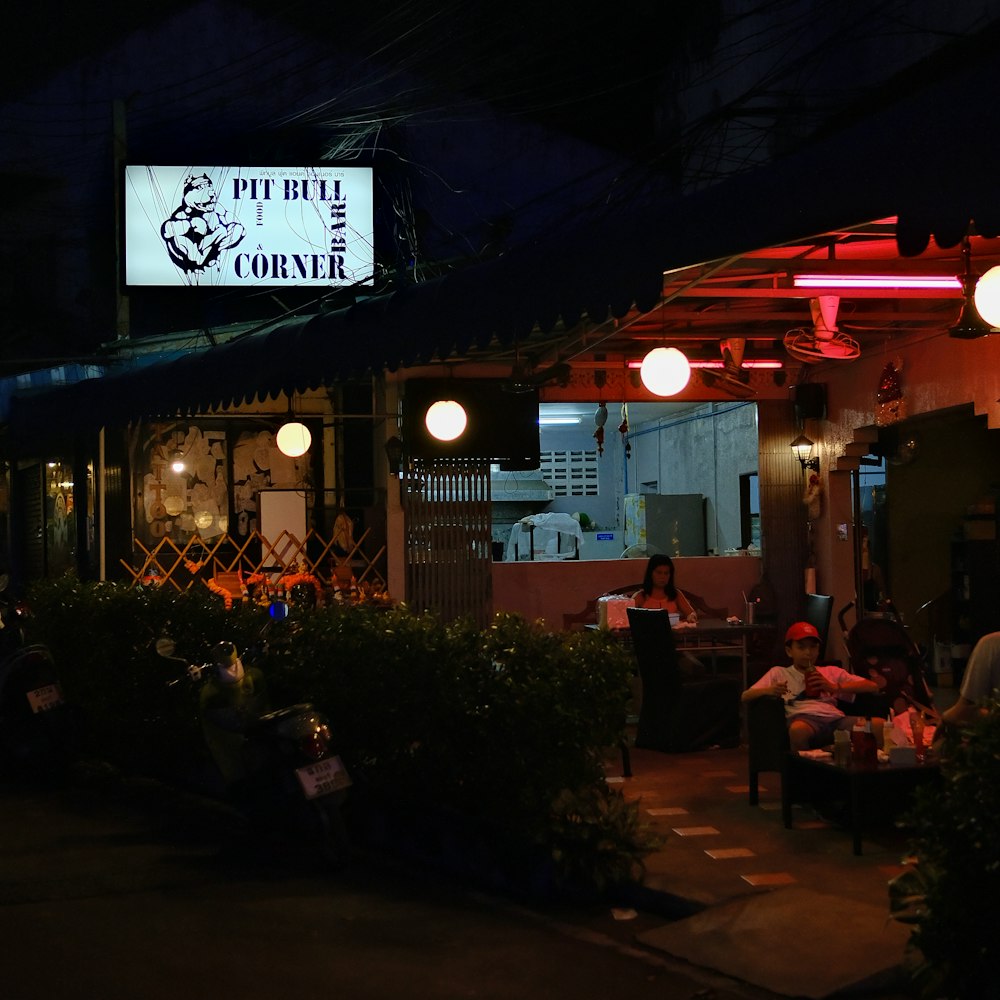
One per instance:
(810, 693)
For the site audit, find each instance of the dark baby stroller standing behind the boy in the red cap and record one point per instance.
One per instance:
(881, 649)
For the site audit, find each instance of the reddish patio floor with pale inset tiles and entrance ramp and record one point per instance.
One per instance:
(758, 883)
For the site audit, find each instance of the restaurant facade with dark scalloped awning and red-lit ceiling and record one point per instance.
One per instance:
(914, 398)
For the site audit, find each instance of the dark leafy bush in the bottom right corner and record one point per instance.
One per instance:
(949, 892)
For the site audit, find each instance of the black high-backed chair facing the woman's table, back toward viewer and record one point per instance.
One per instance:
(679, 714)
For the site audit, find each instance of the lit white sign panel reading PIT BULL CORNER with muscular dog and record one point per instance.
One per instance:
(249, 226)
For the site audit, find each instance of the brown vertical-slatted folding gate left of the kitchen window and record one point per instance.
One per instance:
(448, 524)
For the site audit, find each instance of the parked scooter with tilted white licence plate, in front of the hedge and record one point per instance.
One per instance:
(283, 774)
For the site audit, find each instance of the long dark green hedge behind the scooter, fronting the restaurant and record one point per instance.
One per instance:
(507, 726)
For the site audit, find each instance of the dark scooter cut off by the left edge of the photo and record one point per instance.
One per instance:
(37, 732)
